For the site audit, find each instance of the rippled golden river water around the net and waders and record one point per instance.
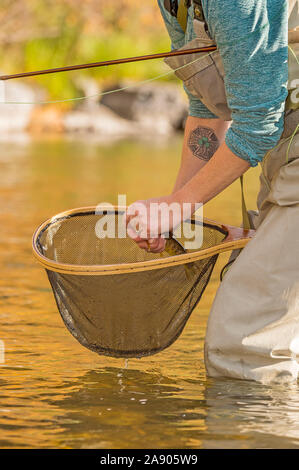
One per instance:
(56, 394)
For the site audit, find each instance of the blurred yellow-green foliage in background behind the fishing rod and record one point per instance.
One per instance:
(51, 33)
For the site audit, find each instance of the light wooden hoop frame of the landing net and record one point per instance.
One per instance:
(236, 238)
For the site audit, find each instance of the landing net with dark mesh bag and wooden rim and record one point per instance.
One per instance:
(115, 298)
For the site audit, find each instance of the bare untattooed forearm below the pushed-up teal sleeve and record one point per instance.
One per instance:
(219, 172)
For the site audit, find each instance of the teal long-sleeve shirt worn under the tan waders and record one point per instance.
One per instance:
(252, 39)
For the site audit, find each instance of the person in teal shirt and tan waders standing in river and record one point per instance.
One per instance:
(241, 113)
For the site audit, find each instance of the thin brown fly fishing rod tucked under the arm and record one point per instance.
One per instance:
(110, 62)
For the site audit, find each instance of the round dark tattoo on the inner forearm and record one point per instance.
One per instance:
(203, 142)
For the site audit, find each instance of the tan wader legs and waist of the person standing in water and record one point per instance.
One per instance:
(253, 328)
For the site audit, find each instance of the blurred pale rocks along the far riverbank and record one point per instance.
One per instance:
(147, 110)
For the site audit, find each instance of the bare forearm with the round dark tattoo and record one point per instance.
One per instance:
(195, 156)
